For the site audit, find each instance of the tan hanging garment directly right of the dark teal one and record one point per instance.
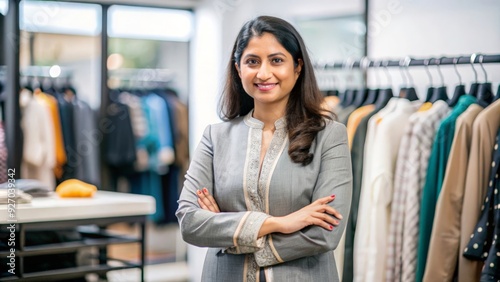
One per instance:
(445, 238)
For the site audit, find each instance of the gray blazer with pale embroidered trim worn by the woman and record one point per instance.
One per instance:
(226, 162)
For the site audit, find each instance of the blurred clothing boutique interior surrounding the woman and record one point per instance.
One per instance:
(124, 90)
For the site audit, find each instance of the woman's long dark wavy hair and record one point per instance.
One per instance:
(304, 115)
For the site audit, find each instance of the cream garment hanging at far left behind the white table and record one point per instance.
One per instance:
(39, 158)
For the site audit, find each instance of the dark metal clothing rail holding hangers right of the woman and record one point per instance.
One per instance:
(408, 61)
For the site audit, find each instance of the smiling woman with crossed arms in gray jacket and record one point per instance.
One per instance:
(267, 188)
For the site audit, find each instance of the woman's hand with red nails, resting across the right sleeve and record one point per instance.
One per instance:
(317, 213)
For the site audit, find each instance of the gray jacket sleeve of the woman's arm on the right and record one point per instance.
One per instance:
(335, 177)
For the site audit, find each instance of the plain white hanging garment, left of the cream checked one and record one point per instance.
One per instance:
(376, 194)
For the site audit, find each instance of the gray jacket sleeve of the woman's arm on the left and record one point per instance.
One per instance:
(236, 231)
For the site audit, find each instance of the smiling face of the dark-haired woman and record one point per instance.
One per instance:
(267, 70)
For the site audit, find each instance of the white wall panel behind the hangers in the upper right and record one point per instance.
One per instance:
(429, 28)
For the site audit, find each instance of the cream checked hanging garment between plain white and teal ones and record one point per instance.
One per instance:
(409, 178)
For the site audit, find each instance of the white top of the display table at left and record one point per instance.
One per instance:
(103, 204)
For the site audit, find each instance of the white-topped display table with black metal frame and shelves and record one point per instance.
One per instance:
(90, 216)
